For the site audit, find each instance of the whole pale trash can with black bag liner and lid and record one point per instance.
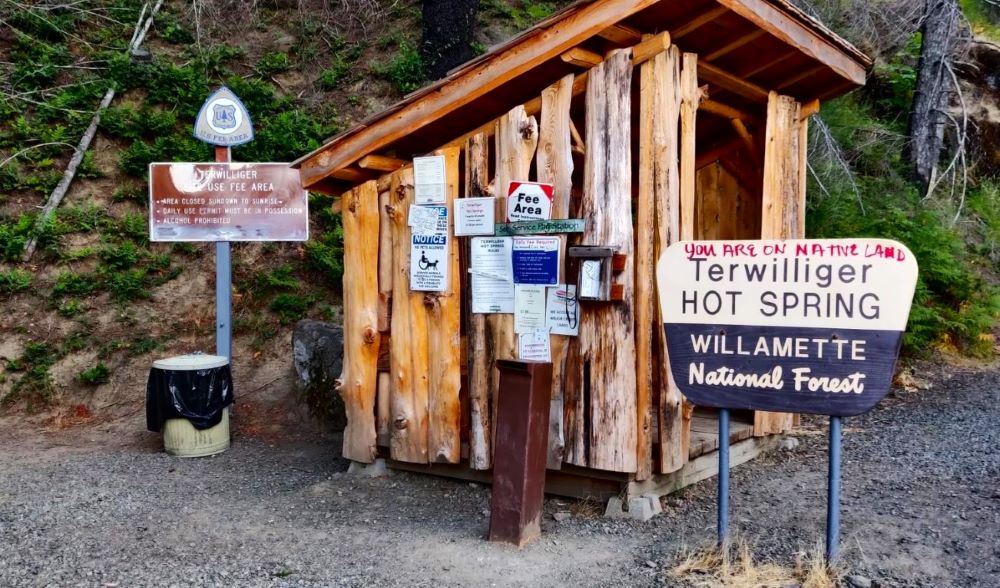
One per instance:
(188, 398)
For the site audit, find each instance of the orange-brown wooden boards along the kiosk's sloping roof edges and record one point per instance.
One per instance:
(550, 38)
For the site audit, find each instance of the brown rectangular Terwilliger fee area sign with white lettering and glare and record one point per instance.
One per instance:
(227, 202)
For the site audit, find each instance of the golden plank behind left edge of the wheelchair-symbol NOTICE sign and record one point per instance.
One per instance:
(408, 354)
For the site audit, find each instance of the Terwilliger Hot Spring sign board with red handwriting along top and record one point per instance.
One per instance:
(808, 326)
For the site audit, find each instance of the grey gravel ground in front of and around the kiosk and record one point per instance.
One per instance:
(87, 508)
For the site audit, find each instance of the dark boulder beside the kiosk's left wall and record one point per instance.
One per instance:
(317, 354)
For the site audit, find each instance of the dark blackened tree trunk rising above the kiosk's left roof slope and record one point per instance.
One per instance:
(447, 35)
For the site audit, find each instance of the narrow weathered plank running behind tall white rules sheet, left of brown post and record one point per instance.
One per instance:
(480, 360)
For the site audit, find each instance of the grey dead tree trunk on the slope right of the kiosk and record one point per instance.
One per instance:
(927, 121)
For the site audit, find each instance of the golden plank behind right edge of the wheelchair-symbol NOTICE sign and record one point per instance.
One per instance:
(444, 319)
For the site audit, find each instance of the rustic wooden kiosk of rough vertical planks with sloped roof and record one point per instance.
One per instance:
(656, 121)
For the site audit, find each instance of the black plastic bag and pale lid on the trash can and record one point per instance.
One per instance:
(193, 387)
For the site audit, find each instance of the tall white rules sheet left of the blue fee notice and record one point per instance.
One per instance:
(492, 275)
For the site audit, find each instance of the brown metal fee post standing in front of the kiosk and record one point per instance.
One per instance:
(520, 451)
